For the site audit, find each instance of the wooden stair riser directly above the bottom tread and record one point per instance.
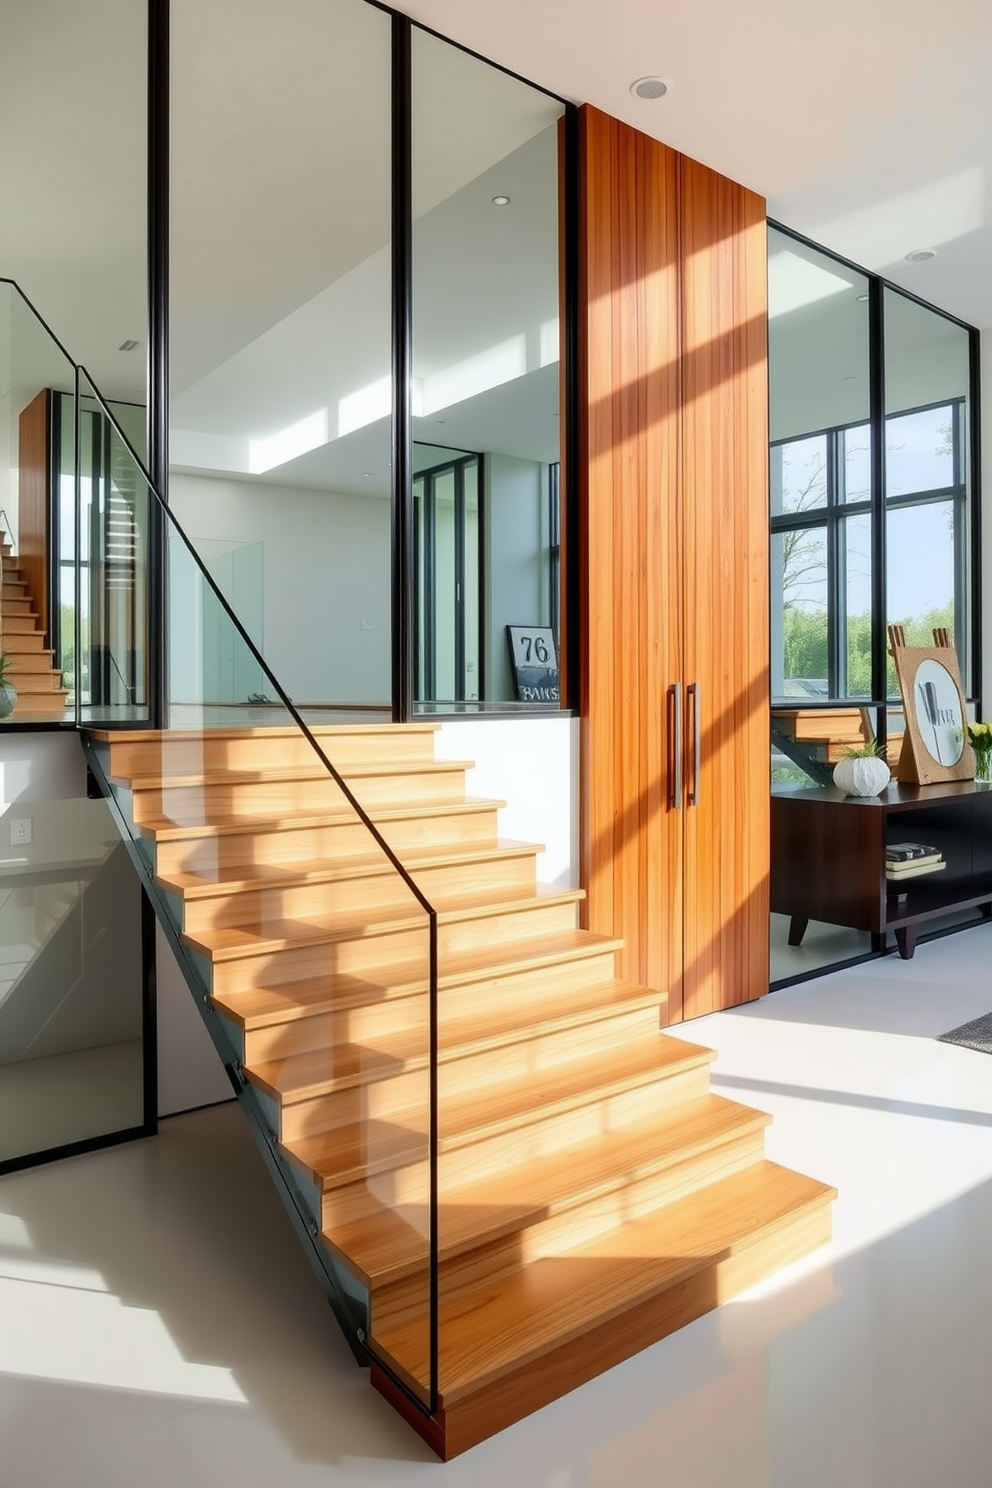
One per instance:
(401, 1301)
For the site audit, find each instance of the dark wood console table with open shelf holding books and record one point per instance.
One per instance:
(829, 858)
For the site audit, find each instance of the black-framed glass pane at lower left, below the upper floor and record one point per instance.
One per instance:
(72, 990)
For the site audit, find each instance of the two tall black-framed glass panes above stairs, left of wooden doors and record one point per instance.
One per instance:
(285, 313)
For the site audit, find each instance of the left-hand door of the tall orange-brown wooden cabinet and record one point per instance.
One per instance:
(630, 544)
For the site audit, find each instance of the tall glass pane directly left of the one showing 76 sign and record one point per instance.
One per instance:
(280, 331)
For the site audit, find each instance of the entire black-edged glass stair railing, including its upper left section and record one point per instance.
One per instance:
(291, 916)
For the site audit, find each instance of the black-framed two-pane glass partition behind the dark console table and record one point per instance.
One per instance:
(872, 501)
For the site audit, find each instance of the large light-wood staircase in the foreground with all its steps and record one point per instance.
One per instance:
(594, 1193)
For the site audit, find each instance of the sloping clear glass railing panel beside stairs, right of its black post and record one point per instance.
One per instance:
(260, 925)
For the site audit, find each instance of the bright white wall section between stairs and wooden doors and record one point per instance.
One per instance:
(532, 763)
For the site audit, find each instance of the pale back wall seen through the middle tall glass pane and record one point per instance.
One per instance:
(326, 569)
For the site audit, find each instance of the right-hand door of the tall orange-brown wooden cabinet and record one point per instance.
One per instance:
(725, 504)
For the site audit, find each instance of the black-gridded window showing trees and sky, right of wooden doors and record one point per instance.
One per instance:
(822, 548)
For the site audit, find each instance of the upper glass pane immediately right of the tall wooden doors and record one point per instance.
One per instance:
(820, 474)
